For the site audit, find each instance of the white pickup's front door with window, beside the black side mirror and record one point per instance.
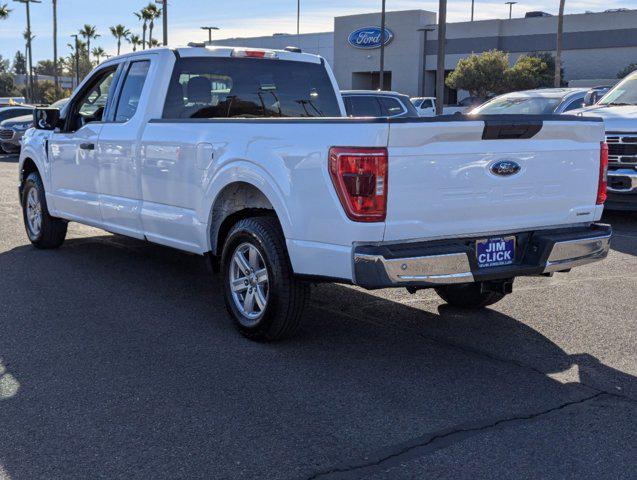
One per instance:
(72, 151)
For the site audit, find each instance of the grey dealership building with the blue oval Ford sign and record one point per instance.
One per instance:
(596, 46)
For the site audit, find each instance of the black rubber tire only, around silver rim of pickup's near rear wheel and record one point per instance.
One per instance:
(286, 295)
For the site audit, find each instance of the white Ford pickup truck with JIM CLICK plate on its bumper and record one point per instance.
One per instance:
(246, 156)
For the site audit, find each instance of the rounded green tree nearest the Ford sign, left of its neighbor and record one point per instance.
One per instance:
(481, 75)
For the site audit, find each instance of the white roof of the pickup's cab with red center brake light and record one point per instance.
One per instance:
(226, 52)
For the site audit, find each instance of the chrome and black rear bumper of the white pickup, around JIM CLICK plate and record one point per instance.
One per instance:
(448, 262)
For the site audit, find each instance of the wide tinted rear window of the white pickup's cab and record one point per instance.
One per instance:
(249, 88)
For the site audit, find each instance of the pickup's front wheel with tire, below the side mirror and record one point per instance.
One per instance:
(43, 230)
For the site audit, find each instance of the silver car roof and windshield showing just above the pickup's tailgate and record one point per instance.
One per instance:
(534, 102)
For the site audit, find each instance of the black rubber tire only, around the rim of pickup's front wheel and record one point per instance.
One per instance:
(52, 231)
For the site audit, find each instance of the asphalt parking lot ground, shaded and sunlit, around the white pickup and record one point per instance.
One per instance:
(117, 360)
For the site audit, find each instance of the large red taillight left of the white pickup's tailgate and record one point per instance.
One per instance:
(360, 179)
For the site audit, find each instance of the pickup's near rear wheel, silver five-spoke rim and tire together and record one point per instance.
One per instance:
(262, 294)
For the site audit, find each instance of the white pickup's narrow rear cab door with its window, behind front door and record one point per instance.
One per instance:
(118, 157)
